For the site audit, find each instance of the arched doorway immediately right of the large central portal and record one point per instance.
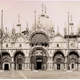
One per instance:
(58, 60)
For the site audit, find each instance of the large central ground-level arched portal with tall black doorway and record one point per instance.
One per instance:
(38, 59)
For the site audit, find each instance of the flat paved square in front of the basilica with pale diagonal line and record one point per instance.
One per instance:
(40, 75)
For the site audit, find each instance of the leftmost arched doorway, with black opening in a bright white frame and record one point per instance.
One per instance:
(6, 61)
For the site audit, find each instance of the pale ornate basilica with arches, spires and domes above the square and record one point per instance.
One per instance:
(40, 48)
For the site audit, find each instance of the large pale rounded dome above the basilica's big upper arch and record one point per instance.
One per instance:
(44, 21)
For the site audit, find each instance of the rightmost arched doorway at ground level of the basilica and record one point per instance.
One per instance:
(73, 60)
